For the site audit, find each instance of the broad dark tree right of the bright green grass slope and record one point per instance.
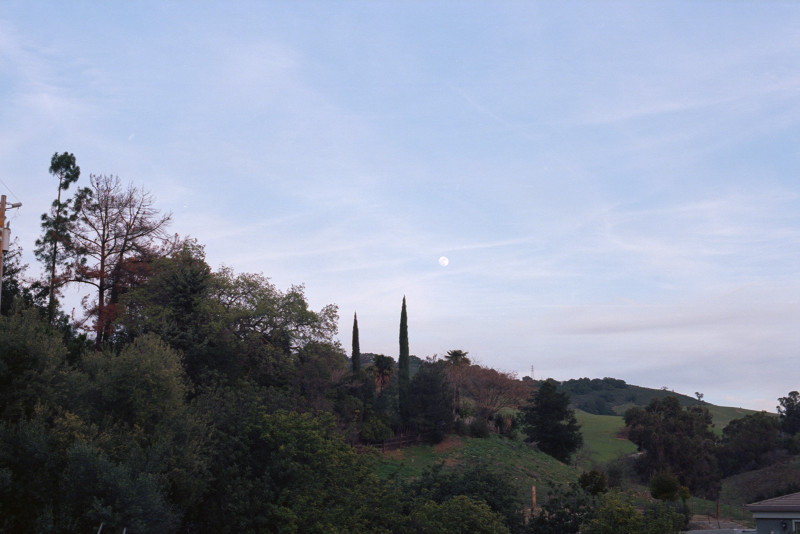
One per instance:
(677, 440)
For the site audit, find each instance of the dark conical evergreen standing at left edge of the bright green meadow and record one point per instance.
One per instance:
(551, 424)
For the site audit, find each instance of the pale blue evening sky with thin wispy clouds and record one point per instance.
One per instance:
(615, 185)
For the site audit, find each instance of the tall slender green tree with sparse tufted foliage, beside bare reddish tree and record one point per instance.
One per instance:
(53, 248)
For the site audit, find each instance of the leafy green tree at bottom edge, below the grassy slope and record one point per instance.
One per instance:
(310, 481)
